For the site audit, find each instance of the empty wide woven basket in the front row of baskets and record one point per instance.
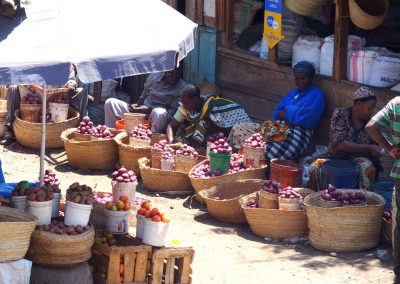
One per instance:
(223, 200)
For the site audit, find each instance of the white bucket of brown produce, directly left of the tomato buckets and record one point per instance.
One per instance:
(77, 214)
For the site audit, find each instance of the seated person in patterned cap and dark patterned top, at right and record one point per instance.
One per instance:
(349, 140)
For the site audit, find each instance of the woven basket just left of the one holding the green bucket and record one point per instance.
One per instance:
(164, 181)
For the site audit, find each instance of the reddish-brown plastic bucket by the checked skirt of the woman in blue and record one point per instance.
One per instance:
(287, 172)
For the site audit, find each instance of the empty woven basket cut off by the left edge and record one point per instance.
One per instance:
(16, 227)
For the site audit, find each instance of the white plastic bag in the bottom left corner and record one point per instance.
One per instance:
(15, 272)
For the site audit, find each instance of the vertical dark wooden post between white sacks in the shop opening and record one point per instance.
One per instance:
(340, 43)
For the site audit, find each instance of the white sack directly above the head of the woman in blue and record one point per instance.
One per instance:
(307, 48)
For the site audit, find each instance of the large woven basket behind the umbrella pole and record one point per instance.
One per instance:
(28, 134)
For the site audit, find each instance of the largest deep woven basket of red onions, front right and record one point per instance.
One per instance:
(344, 229)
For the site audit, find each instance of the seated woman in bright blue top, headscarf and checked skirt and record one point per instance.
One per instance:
(301, 109)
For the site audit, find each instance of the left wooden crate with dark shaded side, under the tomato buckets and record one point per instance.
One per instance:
(135, 255)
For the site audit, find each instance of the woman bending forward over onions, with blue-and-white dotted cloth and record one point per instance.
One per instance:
(205, 116)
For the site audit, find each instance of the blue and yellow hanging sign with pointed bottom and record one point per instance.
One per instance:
(273, 22)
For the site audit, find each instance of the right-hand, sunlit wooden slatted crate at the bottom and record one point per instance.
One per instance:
(171, 265)
